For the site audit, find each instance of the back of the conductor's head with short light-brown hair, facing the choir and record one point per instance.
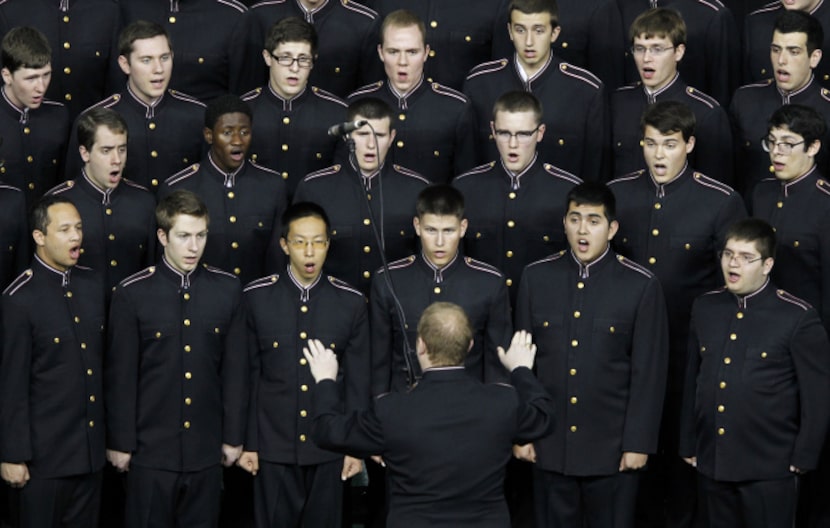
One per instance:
(445, 330)
